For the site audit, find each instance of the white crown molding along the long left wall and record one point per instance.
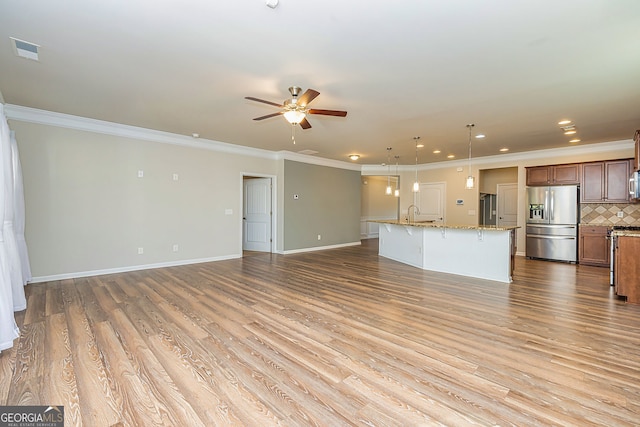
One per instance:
(43, 117)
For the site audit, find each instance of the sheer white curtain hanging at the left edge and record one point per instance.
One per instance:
(12, 280)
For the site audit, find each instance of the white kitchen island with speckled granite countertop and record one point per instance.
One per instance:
(485, 252)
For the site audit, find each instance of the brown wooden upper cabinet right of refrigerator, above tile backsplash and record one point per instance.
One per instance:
(605, 181)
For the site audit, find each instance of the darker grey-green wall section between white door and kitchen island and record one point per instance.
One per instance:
(328, 205)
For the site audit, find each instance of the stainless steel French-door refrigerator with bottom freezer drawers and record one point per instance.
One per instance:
(552, 222)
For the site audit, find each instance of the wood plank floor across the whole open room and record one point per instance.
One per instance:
(337, 337)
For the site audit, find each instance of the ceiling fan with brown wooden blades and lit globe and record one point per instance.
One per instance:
(296, 109)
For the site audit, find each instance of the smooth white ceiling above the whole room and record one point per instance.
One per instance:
(401, 69)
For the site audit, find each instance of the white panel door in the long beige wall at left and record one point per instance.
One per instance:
(256, 235)
